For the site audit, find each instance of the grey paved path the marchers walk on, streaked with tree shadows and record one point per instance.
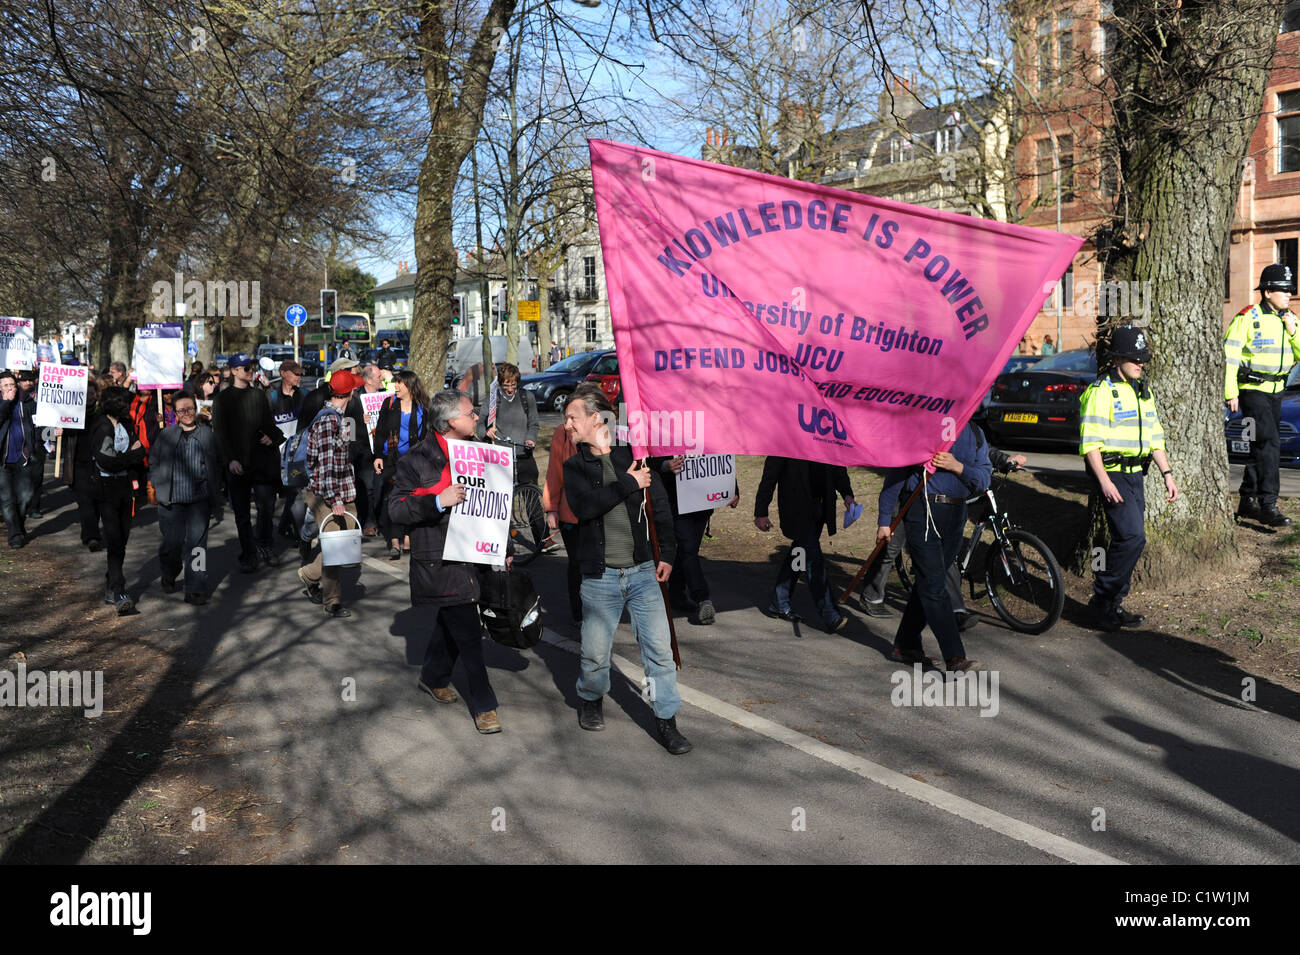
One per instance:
(800, 753)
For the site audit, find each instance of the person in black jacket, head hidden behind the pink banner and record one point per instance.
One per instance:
(807, 501)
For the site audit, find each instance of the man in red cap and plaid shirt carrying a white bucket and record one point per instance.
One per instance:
(331, 489)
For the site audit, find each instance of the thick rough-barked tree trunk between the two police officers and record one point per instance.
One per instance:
(1191, 83)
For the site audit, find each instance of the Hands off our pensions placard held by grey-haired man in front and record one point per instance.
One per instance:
(479, 527)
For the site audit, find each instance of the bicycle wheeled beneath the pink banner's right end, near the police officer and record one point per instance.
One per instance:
(1022, 576)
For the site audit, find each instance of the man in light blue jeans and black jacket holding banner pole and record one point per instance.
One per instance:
(608, 493)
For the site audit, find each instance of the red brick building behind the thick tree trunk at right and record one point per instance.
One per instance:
(1060, 62)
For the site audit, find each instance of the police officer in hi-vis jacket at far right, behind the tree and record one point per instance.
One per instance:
(1262, 346)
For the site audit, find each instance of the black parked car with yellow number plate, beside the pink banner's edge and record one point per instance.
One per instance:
(1041, 405)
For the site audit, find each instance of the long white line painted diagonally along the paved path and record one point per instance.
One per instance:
(931, 796)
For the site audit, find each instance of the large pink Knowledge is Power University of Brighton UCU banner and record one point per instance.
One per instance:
(765, 316)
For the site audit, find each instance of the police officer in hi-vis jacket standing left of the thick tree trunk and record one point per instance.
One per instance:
(1120, 437)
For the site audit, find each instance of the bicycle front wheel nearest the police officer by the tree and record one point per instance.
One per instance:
(1025, 583)
